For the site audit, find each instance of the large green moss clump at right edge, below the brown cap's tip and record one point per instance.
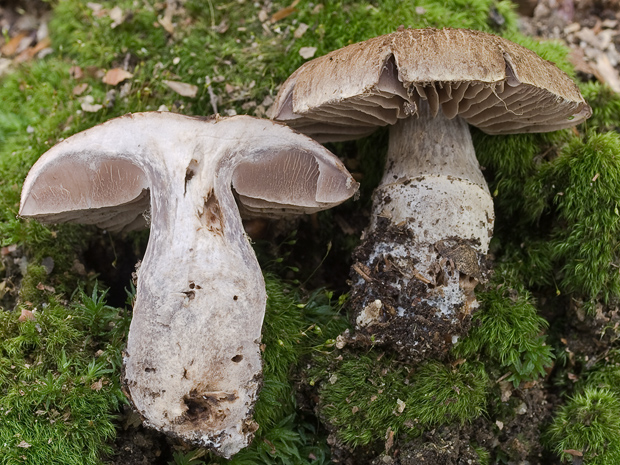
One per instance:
(581, 188)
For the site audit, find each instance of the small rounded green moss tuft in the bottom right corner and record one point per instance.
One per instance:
(589, 424)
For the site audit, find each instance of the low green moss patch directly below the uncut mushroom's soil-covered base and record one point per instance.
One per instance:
(366, 397)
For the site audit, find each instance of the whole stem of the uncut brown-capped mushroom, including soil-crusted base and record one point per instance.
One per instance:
(431, 222)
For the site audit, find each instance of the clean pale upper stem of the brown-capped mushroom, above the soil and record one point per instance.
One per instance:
(433, 183)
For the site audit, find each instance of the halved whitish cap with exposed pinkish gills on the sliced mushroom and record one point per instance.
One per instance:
(91, 178)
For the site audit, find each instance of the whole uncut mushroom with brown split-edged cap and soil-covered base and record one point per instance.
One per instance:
(432, 216)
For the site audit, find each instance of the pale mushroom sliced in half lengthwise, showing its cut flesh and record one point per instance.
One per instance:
(192, 367)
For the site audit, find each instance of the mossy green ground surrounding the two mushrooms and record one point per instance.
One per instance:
(547, 332)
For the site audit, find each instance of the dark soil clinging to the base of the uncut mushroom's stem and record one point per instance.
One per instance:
(418, 315)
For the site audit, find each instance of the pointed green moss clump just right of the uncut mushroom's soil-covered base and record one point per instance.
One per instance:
(507, 332)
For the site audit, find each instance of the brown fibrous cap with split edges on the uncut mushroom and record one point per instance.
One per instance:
(492, 83)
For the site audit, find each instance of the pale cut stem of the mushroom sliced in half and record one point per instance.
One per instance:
(199, 288)
